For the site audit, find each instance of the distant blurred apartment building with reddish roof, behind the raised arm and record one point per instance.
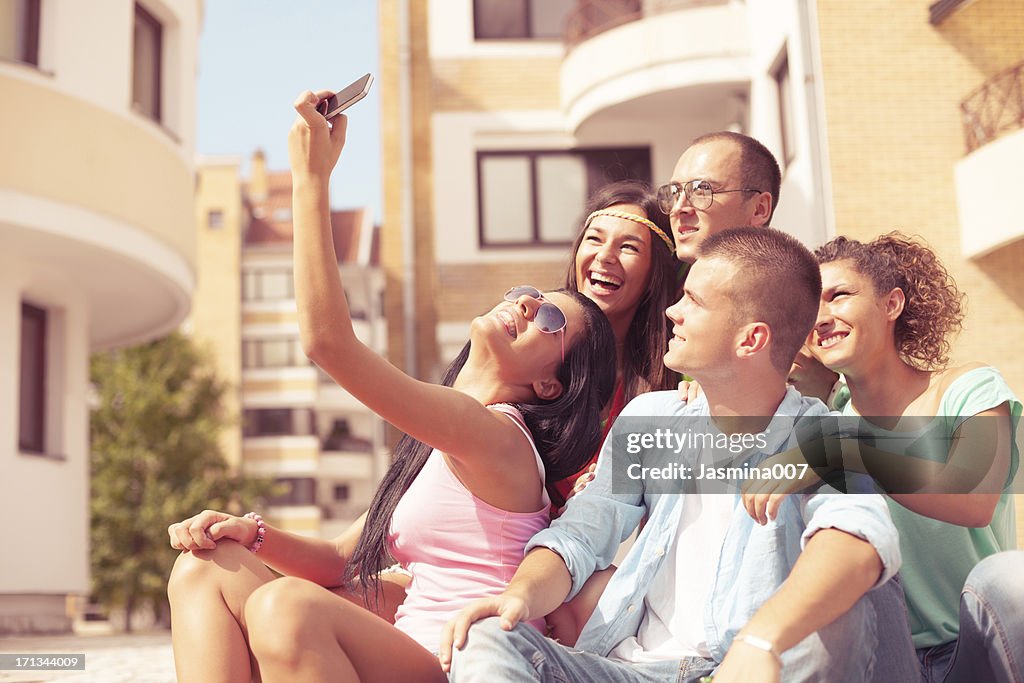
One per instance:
(295, 425)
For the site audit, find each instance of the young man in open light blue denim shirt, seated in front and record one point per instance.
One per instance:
(707, 588)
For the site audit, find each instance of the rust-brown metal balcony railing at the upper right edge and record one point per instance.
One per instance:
(995, 109)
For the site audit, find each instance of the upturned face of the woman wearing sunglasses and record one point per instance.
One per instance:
(525, 354)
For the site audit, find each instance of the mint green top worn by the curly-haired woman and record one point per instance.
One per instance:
(938, 557)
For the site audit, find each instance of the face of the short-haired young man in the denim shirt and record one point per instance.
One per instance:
(704, 321)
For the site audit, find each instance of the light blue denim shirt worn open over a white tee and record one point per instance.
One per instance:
(755, 561)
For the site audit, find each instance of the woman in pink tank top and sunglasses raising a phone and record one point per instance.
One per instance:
(519, 407)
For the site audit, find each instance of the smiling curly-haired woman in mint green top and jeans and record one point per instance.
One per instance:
(888, 310)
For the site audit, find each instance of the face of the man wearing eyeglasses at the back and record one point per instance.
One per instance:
(720, 163)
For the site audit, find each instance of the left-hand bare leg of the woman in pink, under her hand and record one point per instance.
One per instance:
(208, 590)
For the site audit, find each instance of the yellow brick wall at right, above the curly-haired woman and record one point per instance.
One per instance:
(893, 84)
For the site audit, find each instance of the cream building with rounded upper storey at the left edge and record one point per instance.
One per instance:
(98, 135)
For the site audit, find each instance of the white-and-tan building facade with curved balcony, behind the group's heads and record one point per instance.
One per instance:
(501, 117)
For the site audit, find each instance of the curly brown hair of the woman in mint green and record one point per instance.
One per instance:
(933, 313)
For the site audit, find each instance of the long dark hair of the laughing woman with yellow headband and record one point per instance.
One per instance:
(648, 338)
